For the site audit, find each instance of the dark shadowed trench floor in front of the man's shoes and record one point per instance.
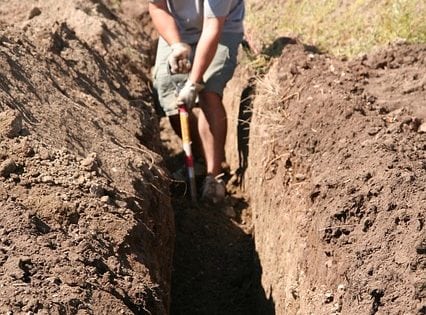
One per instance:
(213, 270)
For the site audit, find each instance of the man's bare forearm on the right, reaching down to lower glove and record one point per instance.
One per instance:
(206, 47)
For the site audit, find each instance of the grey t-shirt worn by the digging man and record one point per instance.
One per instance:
(189, 15)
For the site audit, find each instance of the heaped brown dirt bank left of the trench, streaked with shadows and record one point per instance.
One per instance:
(87, 226)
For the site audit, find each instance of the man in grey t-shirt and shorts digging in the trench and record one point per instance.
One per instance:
(199, 42)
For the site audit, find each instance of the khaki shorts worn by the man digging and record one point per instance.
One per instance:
(215, 78)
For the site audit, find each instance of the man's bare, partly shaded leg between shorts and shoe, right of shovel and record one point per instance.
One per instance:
(212, 128)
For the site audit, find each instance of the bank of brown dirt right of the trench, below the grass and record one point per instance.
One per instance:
(336, 177)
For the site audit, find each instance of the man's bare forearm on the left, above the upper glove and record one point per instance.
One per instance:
(164, 22)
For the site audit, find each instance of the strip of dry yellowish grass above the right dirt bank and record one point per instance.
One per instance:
(341, 27)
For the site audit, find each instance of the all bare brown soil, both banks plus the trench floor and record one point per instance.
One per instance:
(326, 205)
